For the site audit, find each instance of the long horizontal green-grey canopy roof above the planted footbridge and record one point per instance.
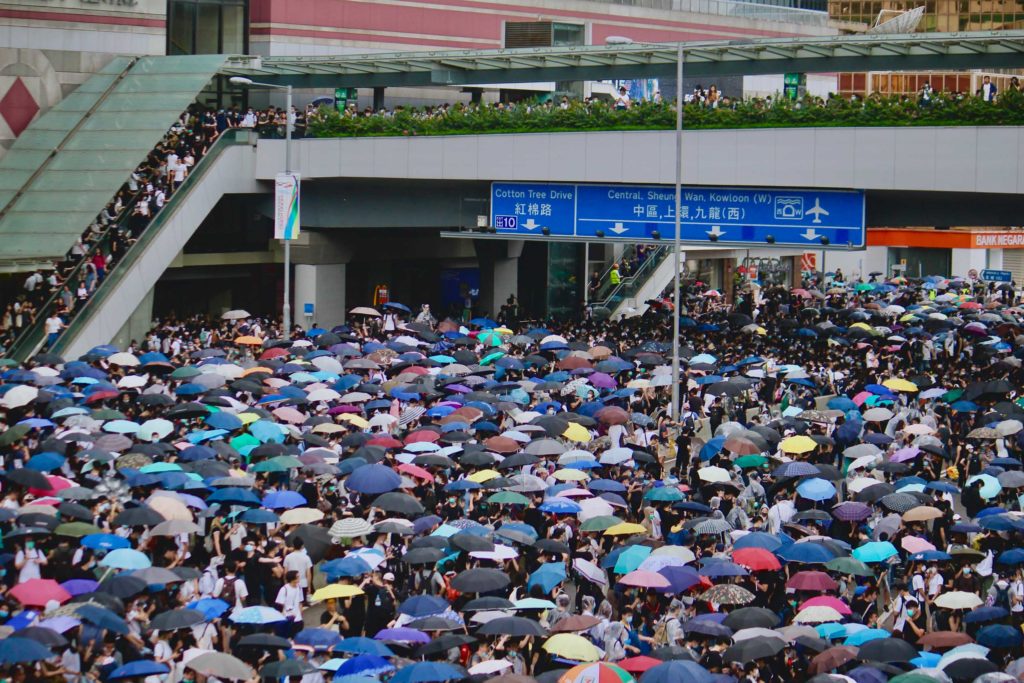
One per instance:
(989, 50)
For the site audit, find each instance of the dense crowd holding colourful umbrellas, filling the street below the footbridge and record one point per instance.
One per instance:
(407, 500)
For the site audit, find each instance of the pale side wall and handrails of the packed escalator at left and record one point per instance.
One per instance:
(225, 169)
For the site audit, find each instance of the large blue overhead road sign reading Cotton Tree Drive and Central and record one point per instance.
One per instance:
(783, 218)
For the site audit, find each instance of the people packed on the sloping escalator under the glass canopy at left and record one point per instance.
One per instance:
(71, 282)
